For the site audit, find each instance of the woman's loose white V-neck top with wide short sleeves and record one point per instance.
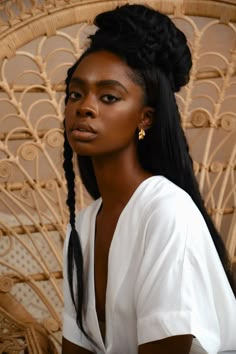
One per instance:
(164, 277)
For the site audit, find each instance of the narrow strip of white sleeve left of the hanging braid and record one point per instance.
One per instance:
(70, 330)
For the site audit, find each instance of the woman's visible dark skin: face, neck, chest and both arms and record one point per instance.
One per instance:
(111, 113)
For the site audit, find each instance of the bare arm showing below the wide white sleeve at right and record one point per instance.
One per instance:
(176, 344)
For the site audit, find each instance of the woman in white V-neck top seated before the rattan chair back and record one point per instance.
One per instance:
(145, 269)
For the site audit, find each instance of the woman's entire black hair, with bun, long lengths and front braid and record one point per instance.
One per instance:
(158, 54)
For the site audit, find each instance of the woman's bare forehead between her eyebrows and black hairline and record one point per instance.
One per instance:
(104, 65)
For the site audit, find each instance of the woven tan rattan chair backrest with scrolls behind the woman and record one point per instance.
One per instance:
(39, 40)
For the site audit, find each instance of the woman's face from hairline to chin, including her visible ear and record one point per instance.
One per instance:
(105, 106)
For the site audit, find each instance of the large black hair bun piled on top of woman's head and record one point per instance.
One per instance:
(146, 37)
